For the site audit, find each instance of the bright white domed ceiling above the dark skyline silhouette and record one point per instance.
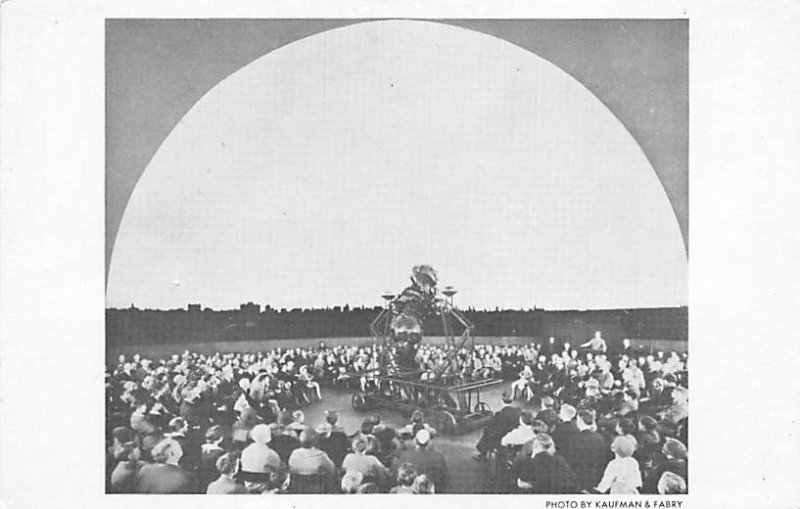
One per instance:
(319, 174)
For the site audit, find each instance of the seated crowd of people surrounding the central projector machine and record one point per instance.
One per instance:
(574, 419)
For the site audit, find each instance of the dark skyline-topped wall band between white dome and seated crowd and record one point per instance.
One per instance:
(151, 327)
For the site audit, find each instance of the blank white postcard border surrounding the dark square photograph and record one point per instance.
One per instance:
(744, 163)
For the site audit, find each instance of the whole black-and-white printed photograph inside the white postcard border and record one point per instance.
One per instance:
(397, 256)
